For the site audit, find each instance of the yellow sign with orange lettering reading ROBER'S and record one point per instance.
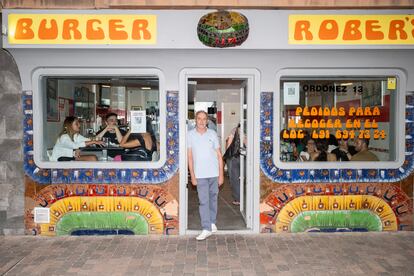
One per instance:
(351, 29)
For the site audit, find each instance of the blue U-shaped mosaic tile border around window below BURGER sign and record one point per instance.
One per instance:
(132, 176)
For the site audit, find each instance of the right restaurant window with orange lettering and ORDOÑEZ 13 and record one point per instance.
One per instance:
(345, 121)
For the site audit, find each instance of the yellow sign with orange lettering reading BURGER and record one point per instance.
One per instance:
(82, 29)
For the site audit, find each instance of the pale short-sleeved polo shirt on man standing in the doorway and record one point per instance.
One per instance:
(204, 148)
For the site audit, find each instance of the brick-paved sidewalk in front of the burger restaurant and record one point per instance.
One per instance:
(223, 254)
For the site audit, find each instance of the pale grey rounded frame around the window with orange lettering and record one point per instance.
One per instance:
(398, 128)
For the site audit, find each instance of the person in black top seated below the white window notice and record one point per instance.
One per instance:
(139, 146)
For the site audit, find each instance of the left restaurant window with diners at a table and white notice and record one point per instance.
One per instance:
(107, 119)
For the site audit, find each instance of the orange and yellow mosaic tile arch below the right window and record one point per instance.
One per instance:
(390, 193)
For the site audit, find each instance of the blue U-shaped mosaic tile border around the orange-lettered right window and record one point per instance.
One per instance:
(329, 175)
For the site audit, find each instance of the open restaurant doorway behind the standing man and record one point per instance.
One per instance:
(225, 101)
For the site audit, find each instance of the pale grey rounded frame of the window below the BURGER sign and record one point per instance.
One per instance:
(38, 115)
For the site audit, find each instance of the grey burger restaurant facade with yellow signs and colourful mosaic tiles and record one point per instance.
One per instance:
(305, 75)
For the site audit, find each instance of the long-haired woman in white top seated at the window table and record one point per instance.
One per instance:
(69, 141)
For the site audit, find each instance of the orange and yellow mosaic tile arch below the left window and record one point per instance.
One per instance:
(91, 194)
